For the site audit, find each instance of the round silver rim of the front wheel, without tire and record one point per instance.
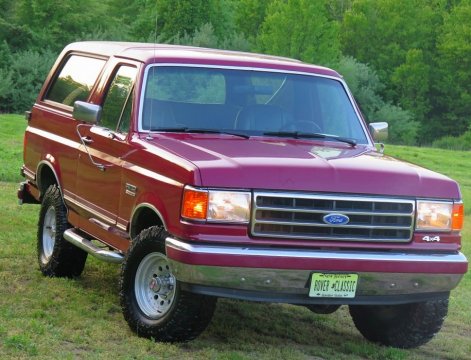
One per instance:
(154, 285)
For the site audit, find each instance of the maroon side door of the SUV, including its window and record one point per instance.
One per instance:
(100, 166)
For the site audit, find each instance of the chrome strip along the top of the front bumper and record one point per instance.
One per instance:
(315, 254)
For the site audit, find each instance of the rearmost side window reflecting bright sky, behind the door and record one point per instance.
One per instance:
(75, 80)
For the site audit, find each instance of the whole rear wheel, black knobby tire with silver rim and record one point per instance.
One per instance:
(56, 256)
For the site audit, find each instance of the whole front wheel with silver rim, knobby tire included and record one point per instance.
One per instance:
(151, 299)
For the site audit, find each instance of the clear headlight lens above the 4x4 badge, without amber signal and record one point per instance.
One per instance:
(434, 215)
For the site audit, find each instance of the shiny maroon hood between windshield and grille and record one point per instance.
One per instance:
(303, 165)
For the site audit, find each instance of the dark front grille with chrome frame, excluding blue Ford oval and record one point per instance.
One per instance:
(301, 216)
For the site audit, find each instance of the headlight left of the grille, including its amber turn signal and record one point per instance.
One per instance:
(216, 205)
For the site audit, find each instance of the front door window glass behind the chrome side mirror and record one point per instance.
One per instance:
(117, 105)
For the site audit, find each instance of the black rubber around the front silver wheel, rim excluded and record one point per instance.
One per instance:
(190, 313)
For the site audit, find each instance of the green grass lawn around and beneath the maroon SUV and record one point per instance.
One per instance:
(81, 318)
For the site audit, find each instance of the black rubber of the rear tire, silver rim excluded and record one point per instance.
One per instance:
(66, 260)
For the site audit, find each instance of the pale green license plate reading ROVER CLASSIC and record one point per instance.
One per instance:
(333, 285)
